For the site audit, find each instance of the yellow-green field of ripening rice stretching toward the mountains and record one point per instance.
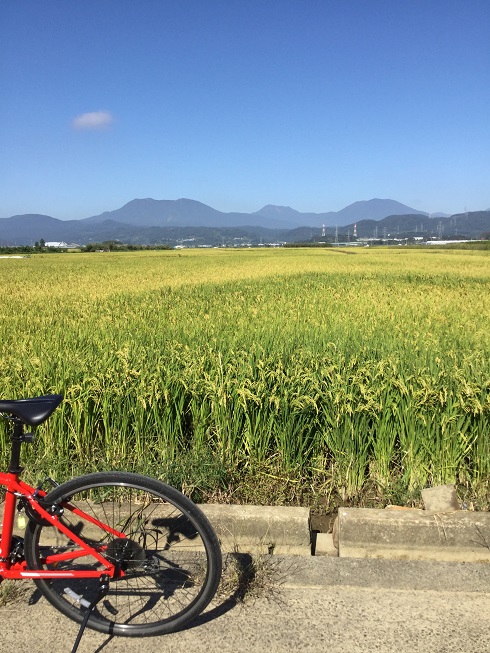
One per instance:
(271, 376)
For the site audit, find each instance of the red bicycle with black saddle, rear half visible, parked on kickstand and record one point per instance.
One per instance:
(118, 552)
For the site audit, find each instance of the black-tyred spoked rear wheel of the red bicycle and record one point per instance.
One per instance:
(170, 556)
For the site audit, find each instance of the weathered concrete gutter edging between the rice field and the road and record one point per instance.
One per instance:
(402, 534)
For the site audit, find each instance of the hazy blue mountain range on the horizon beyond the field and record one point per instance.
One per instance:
(149, 221)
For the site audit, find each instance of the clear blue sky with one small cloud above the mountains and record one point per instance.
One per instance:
(313, 104)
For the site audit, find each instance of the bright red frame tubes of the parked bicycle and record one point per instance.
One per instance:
(16, 488)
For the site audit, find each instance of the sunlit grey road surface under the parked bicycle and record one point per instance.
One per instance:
(303, 604)
